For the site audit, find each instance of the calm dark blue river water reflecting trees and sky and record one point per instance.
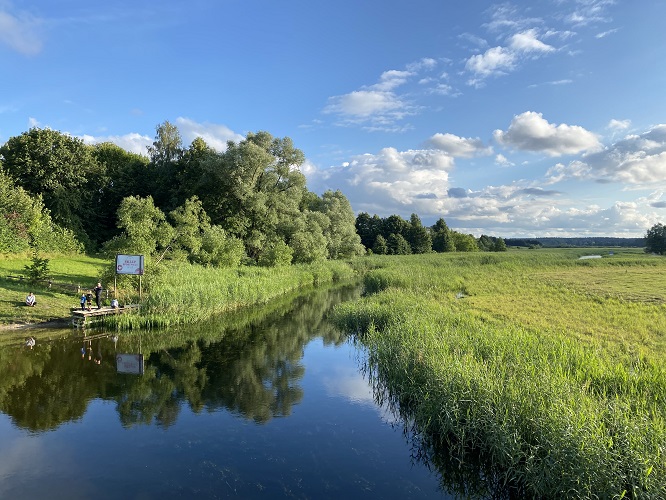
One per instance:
(261, 404)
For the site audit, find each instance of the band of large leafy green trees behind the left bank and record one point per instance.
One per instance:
(247, 204)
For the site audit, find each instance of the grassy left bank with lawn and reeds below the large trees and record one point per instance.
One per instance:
(174, 293)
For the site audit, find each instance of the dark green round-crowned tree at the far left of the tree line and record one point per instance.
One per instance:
(63, 170)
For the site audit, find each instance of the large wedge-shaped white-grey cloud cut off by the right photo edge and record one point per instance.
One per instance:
(636, 160)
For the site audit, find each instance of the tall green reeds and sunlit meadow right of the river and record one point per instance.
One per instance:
(531, 369)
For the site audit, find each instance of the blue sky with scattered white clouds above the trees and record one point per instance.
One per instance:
(515, 119)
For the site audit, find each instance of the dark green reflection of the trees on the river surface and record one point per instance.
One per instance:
(248, 363)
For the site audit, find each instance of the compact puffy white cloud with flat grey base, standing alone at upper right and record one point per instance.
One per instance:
(529, 131)
